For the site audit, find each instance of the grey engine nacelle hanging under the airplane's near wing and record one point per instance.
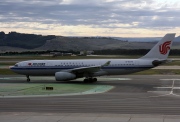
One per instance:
(63, 76)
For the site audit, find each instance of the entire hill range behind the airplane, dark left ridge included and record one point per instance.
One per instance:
(14, 41)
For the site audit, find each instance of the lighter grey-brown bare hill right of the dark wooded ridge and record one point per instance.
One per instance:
(78, 44)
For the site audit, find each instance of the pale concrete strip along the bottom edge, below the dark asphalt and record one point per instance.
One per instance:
(83, 117)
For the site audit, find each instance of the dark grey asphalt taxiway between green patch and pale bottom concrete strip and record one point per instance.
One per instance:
(132, 95)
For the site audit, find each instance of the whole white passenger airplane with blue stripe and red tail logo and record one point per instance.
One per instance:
(65, 70)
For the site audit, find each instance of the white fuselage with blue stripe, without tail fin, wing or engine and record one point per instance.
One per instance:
(50, 67)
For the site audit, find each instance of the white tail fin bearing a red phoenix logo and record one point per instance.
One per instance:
(162, 48)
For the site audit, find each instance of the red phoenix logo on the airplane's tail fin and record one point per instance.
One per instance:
(164, 48)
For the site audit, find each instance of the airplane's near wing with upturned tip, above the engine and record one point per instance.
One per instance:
(91, 69)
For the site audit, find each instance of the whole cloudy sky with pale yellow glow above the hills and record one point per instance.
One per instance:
(110, 18)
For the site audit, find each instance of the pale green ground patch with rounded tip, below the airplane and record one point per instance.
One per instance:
(39, 89)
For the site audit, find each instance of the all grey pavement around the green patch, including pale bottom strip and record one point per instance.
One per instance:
(134, 99)
